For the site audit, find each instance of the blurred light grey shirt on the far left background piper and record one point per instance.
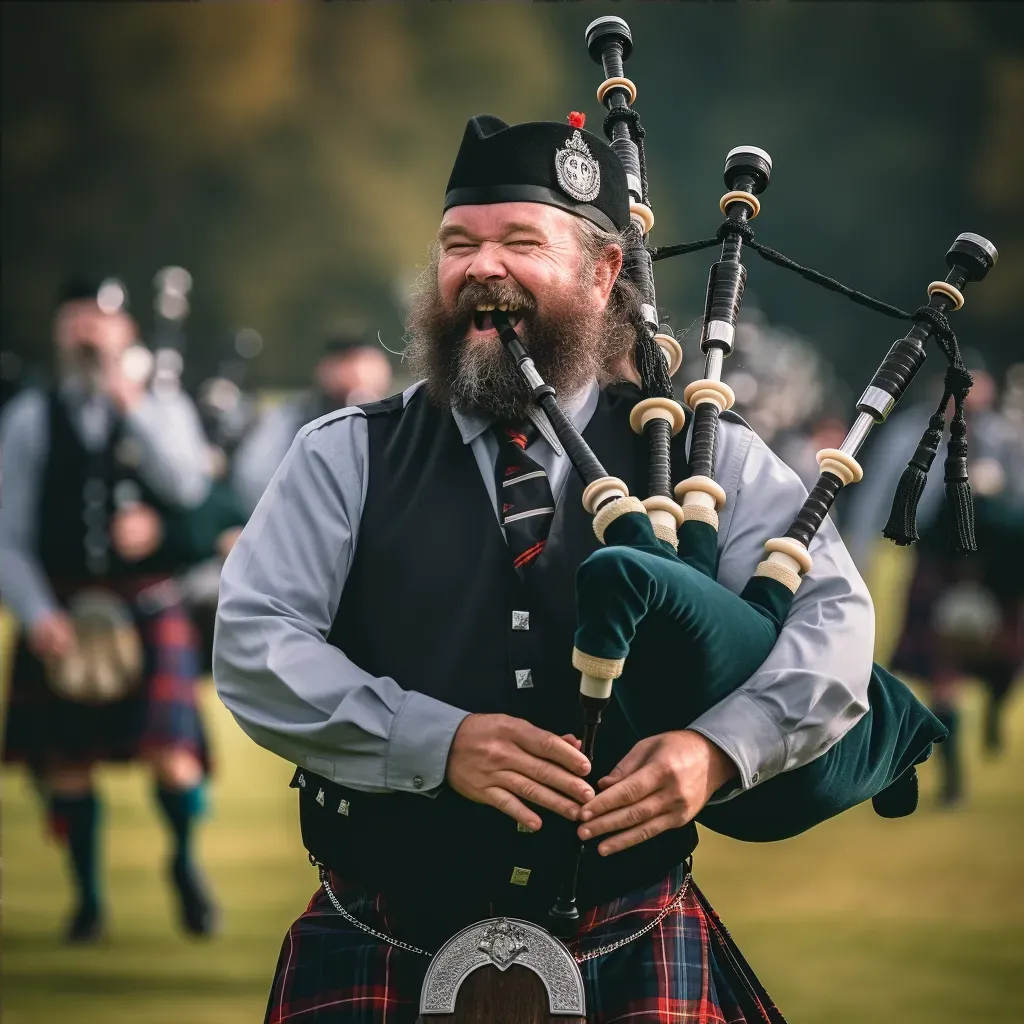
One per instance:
(173, 461)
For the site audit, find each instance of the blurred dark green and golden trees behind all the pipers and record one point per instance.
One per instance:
(293, 156)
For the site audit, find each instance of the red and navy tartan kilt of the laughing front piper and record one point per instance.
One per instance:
(685, 968)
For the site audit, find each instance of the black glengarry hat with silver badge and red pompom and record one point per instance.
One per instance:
(540, 162)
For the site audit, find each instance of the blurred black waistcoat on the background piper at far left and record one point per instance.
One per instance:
(78, 497)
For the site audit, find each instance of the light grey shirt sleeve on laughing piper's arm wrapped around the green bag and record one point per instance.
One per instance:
(813, 689)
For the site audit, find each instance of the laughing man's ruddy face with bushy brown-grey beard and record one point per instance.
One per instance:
(528, 259)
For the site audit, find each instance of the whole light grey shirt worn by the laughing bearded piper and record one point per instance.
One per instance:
(300, 697)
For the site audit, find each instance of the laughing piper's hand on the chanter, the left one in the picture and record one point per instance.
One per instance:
(502, 761)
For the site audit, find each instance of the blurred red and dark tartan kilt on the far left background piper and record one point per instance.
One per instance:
(44, 730)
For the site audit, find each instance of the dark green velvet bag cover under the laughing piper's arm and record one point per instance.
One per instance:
(689, 643)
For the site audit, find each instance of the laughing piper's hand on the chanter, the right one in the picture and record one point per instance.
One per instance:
(662, 784)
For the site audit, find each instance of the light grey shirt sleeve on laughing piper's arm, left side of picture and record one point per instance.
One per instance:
(287, 688)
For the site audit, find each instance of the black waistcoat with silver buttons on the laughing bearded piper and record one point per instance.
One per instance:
(430, 602)
